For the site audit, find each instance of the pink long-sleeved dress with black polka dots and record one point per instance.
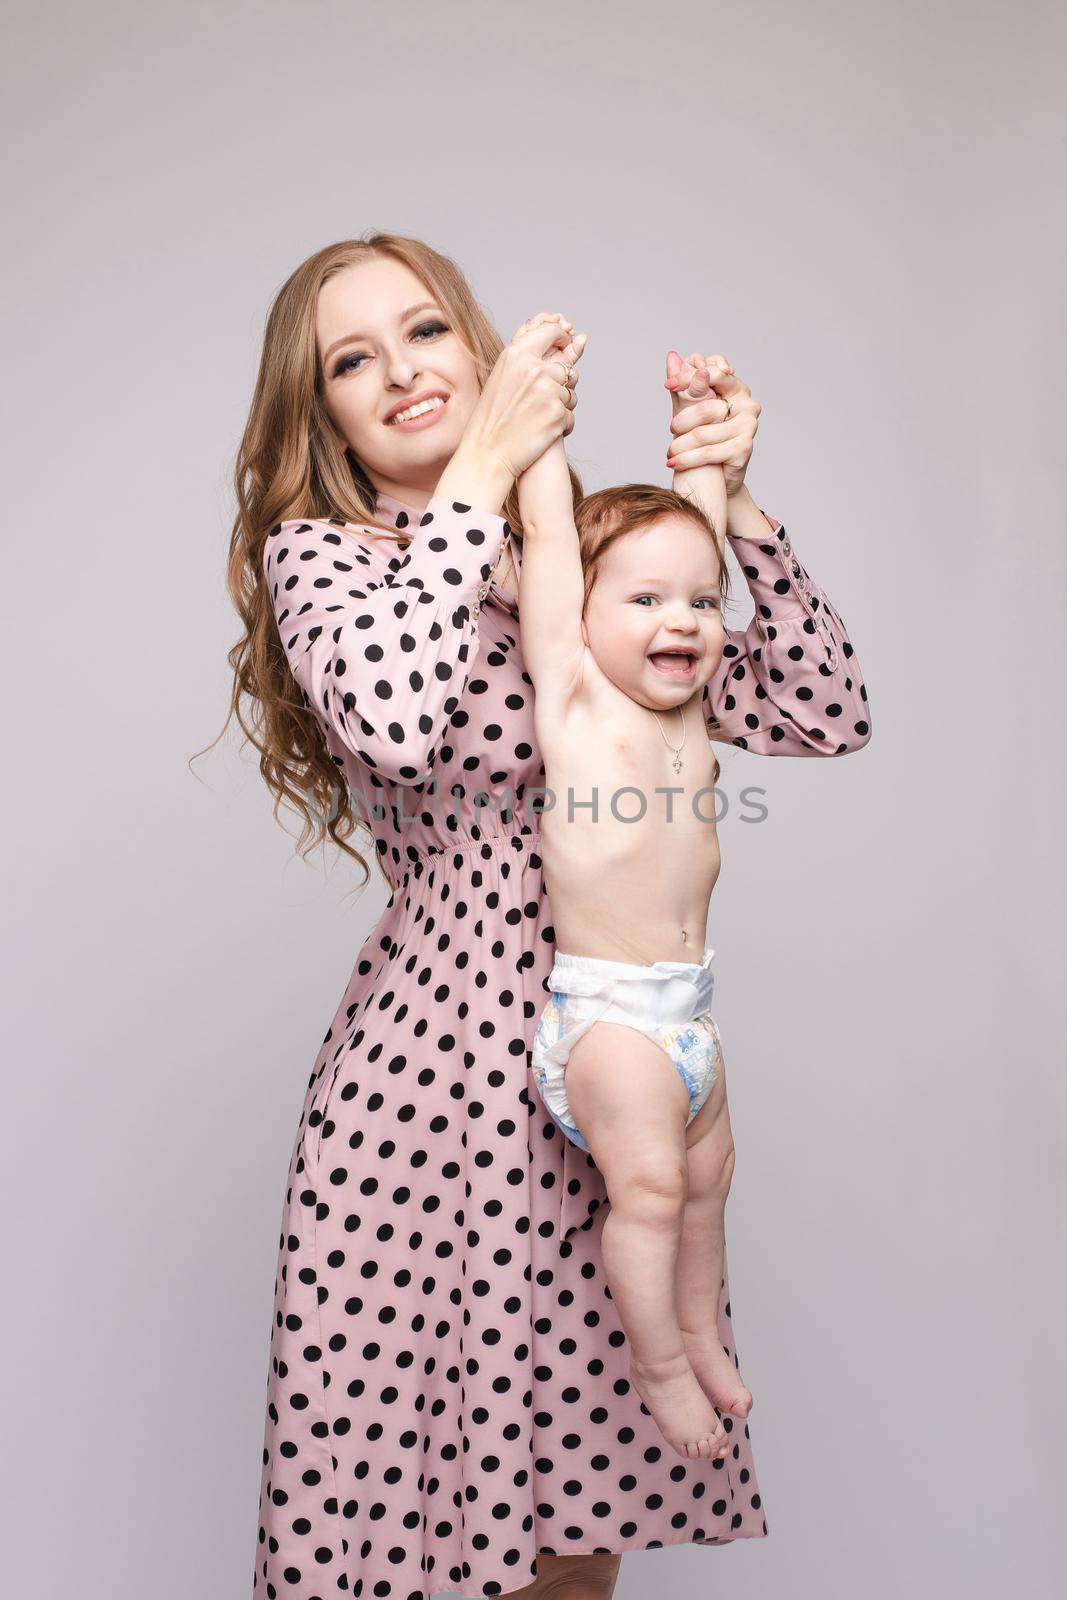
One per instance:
(447, 1386)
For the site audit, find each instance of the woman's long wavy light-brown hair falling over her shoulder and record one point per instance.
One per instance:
(294, 463)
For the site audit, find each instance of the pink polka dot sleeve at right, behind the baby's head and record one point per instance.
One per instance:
(789, 684)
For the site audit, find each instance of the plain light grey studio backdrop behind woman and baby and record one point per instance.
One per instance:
(860, 207)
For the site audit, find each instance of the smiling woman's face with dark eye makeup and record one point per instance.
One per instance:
(385, 345)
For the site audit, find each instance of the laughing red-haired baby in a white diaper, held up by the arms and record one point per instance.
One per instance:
(621, 631)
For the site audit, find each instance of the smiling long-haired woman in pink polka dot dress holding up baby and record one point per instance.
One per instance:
(449, 1407)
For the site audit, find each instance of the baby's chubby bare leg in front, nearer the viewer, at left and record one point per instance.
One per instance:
(633, 1108)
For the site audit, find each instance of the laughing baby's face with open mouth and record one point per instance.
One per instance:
(658, 591)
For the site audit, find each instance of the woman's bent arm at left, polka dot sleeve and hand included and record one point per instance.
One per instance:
(382, 647)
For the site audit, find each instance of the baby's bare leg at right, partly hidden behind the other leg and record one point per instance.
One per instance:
(701, 1250)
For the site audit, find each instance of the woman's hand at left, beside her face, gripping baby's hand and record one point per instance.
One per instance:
(526, 404)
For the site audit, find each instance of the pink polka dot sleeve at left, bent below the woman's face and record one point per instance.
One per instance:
(383, 650)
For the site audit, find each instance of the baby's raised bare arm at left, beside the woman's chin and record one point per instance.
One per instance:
(551, 582)
